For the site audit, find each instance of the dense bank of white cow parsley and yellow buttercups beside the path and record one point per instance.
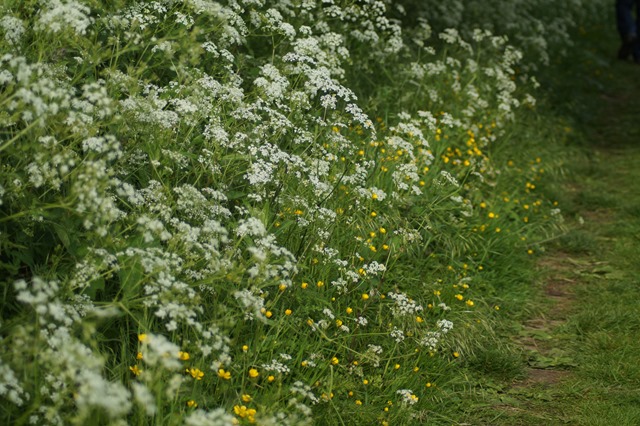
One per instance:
(250, 211)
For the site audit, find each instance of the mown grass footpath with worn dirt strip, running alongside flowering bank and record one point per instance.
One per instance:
(580, 343)
